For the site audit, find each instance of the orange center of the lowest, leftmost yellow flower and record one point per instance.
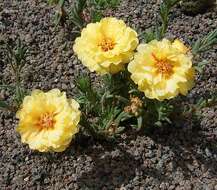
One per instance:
(46, 121)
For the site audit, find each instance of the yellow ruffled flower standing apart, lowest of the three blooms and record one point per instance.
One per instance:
(48, 121)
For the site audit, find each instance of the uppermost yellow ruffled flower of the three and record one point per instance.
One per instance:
(106, 46)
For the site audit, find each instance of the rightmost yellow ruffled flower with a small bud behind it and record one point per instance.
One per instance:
(162, 69)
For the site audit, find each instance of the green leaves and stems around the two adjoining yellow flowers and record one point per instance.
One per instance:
(117, 101)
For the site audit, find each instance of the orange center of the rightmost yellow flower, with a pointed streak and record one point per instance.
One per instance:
(163, 66)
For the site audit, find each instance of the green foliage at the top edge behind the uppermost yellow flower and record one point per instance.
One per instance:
(81, 12)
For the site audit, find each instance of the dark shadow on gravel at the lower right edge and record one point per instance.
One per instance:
(191, 147)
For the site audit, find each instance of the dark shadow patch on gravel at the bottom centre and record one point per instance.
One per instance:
(115, 168)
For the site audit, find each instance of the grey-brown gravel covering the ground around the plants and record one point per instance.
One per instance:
(170, 158)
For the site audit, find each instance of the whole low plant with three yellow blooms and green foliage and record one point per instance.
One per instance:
(139, 86)
